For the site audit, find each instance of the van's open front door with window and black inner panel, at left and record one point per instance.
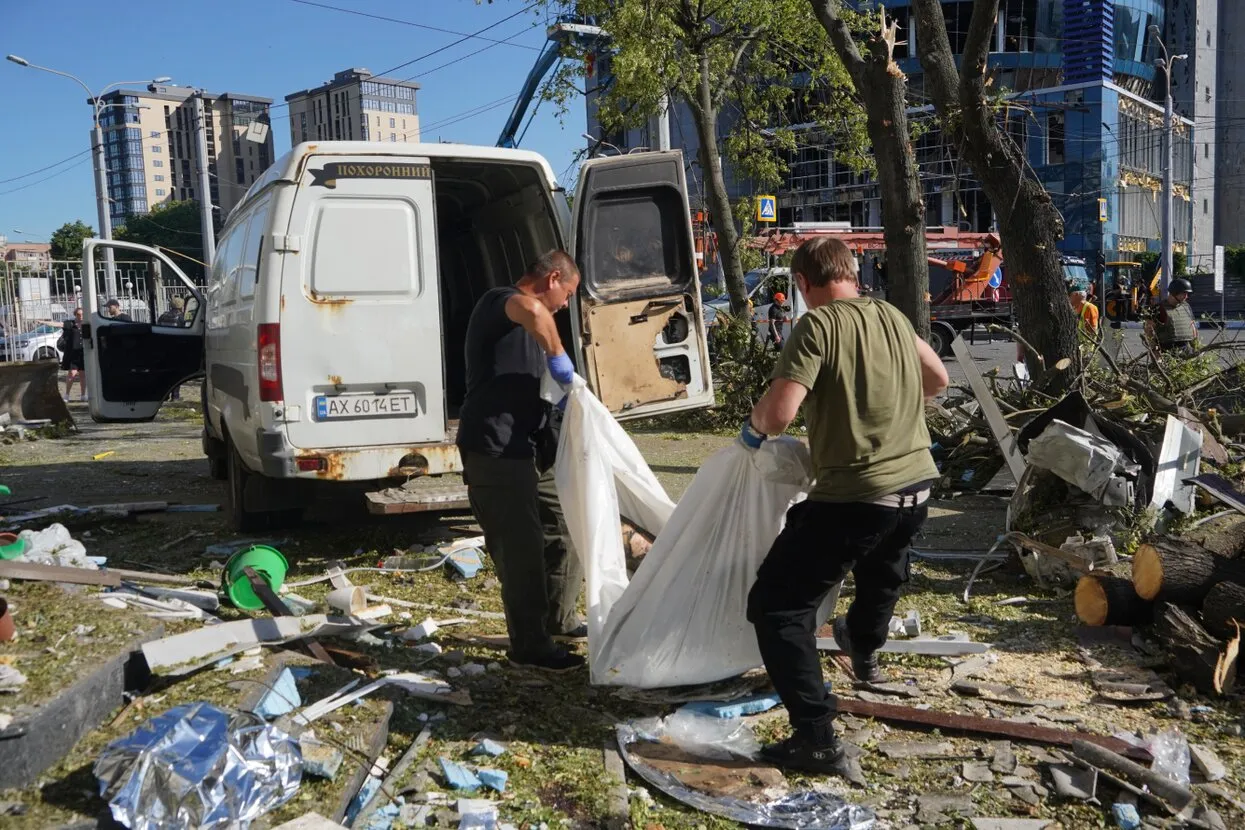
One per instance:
(136, 359)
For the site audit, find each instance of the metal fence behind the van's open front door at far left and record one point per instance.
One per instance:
(49, 294)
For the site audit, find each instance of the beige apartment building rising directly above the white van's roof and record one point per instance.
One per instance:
(355, 106)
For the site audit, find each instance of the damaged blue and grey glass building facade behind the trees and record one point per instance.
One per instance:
(1085, 100)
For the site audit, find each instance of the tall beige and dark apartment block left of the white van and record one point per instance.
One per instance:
(151, 147)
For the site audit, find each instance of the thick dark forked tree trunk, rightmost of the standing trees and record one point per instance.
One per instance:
(1029, 223)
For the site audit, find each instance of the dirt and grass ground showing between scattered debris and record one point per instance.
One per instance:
(555, 729)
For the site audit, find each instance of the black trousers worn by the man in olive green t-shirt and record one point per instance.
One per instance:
(821, 543)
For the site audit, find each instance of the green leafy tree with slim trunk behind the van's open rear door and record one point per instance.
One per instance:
(764, 63)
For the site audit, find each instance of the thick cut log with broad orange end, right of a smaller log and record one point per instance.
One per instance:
(1177, 571)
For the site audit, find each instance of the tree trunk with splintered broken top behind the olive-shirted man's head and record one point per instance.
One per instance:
(883, 89)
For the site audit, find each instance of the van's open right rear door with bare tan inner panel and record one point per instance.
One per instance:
(639, 319)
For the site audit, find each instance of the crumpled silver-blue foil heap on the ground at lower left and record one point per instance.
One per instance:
(199, 766)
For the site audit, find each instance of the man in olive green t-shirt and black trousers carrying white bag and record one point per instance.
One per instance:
(863, 376)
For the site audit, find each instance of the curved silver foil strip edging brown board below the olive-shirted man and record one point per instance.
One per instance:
(797, 811)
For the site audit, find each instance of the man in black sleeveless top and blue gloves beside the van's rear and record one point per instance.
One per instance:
(507, 442)
